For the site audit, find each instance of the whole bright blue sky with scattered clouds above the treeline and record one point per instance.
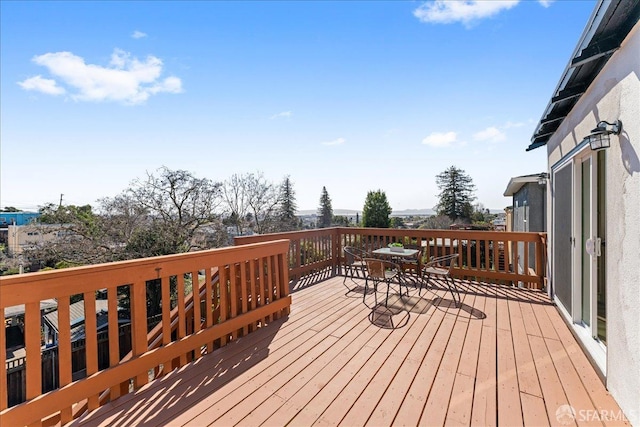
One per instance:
(354, 96)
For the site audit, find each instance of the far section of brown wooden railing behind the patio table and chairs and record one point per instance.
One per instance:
(502, 257)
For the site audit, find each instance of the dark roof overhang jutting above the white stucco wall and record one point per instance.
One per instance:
(609, 25)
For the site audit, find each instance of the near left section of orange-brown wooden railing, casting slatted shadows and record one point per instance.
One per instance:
(251, 289)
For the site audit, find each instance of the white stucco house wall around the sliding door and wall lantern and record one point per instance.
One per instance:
(615, 94)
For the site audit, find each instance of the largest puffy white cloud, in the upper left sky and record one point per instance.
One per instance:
(126, 79)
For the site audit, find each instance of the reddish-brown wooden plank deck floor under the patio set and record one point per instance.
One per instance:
(504, 358)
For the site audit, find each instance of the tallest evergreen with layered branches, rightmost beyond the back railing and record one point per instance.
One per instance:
(456, 194)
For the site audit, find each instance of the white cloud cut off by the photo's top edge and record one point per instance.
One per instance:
(465, 11)
